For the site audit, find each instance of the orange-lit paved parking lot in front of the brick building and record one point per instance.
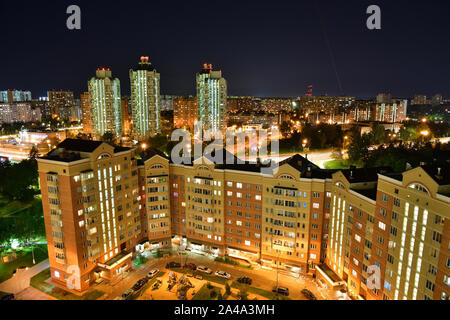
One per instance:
(262, 280)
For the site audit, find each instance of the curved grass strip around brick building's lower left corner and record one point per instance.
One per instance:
(38, 282)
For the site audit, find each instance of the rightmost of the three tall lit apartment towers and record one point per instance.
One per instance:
(211, 99)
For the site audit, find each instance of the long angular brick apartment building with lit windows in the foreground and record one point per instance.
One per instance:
(100, 202)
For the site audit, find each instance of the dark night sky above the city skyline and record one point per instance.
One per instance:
(264, 48)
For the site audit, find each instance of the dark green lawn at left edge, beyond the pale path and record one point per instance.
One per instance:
(25, 259)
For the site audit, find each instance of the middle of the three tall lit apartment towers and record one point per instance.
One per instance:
(145, 99)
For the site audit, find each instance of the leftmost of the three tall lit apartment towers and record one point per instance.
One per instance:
(106, 104)
